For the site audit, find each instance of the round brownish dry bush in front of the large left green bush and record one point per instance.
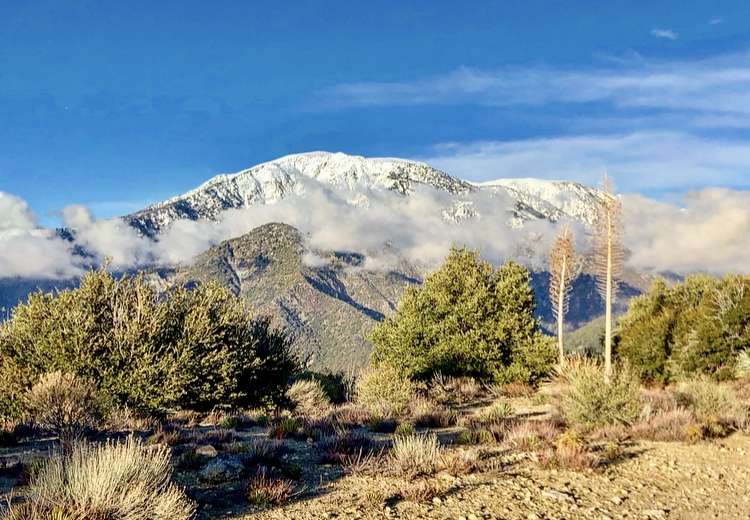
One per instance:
(65, 404)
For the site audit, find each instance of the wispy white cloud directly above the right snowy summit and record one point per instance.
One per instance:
(640, 161)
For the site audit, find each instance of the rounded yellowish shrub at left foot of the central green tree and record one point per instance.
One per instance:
(383, 391)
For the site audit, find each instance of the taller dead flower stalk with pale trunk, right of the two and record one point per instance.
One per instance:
(608, 260)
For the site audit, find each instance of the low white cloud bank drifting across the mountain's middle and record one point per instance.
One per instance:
(708, 231)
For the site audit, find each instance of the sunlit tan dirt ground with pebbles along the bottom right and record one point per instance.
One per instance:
(653, 481)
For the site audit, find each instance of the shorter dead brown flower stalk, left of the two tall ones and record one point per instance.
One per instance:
(563, 269)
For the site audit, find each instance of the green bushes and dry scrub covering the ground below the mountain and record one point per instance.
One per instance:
(181, 405)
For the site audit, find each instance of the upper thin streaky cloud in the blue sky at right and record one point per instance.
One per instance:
(718, 85)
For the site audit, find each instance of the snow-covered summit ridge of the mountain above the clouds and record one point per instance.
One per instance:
(272, 181)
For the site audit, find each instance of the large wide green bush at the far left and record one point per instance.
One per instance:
(192, 349)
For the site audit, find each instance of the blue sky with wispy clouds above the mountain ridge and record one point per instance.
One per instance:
(117, 104)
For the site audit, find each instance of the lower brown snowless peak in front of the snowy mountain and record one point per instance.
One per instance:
(328, 304)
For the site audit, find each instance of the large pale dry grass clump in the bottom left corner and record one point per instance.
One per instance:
(113, 481)
